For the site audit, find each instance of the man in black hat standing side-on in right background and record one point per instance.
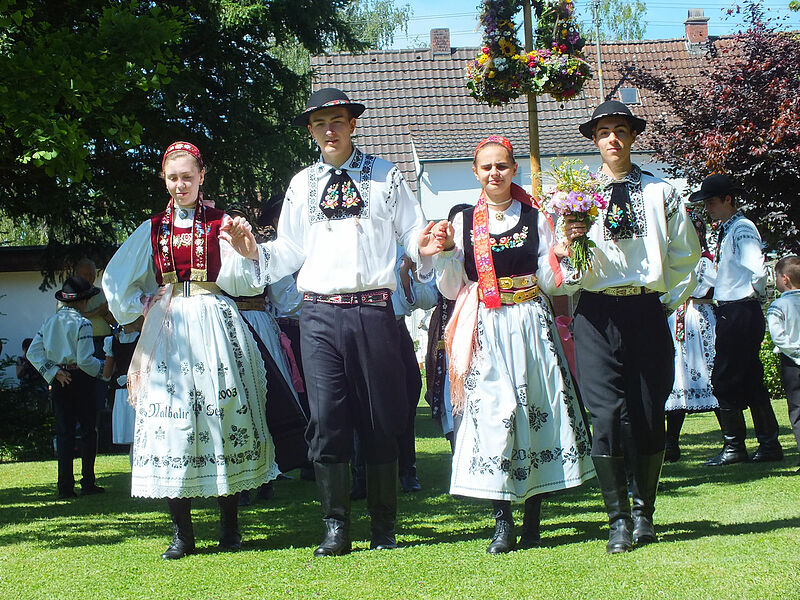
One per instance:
(738, 375)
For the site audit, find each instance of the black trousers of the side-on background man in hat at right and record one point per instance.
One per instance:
(738, 375)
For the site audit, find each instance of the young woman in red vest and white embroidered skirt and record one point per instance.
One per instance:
(196, 379)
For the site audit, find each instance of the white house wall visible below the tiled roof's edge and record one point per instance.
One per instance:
(444, 184)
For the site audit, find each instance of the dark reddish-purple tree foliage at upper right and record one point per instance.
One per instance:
(742, 118)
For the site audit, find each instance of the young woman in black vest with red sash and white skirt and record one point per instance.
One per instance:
(522, 432)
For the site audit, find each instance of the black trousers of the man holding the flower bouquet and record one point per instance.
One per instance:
(625, 365)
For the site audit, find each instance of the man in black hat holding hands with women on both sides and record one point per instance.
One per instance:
(340, 221)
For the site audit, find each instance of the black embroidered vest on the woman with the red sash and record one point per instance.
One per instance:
(514, 252)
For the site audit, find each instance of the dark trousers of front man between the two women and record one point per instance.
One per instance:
(353, 369)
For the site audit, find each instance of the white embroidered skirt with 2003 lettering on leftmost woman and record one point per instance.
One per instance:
(200, 419)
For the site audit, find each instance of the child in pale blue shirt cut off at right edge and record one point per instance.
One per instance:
(783, 317)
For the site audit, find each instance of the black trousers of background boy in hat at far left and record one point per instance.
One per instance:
(75, 403)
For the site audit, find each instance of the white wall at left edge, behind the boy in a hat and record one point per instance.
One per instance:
(23, 309)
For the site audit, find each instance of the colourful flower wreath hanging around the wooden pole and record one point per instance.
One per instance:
(503, 70)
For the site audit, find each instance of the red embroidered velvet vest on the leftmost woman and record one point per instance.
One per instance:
(182, 247)
